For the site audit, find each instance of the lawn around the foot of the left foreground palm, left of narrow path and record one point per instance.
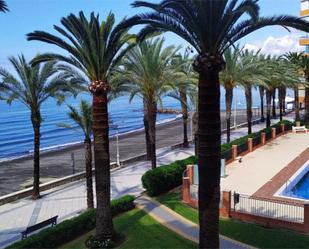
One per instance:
(140, 231)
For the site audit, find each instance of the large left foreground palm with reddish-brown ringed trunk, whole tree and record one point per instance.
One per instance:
(94, 49)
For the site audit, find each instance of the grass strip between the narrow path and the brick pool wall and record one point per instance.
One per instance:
(250, 234)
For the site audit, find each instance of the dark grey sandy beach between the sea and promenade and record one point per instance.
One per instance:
(17, 174)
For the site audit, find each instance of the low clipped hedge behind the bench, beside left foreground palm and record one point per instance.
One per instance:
(68, 230)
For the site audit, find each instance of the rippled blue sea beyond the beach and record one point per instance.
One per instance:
(16, 134)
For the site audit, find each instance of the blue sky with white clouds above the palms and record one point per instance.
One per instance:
(28, 15)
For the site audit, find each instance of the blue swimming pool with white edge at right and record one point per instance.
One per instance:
(297, 187)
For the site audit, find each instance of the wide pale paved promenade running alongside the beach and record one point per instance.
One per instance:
(69, 200)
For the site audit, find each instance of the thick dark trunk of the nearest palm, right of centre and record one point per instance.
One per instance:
(209, 163)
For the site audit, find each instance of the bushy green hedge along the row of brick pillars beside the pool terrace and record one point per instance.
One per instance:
(160, 180)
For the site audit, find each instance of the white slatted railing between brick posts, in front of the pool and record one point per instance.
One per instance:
(267, 208)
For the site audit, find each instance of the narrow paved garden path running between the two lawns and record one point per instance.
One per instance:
(179, 224)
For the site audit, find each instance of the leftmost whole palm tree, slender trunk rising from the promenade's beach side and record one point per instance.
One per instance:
(32, 87)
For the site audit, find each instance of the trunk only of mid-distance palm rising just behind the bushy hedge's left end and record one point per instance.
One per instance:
(152, 116)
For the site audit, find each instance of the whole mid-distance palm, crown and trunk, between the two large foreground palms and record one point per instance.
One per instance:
(148, 68)
